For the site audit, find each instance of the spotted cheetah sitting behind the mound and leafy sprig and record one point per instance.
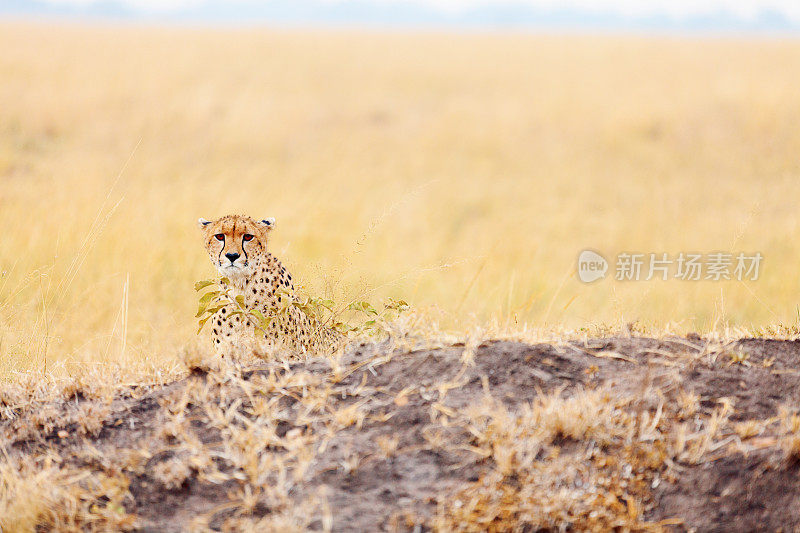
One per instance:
(237, 246)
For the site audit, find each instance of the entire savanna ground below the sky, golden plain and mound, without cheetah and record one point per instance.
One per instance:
(460, 172)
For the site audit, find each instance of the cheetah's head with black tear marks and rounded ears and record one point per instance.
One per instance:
(235, 243)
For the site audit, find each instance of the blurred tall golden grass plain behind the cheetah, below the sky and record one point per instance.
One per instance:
(461, 171)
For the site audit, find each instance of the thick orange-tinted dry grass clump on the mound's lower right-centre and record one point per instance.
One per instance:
(531, 484)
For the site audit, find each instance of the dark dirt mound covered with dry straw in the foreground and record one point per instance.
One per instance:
(675, 433)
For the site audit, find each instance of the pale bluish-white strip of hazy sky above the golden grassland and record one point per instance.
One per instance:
(778, 17)
